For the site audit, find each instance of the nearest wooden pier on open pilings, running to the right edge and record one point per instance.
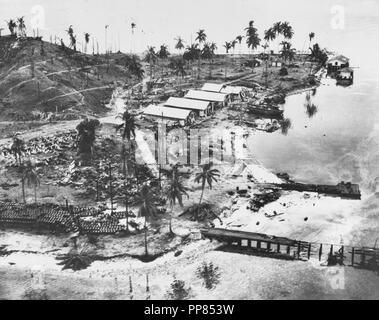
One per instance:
(272, 246)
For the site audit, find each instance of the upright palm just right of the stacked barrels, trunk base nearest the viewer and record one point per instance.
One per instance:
(146, 208)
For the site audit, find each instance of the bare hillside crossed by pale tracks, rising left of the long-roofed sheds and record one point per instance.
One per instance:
(38, 77)
